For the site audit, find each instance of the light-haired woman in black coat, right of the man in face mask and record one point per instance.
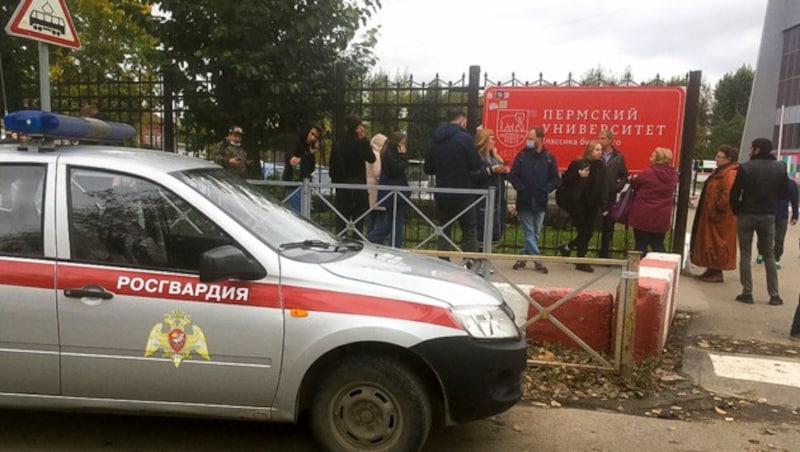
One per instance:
(583, 193)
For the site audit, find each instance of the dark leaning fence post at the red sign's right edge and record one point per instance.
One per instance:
(686, 160)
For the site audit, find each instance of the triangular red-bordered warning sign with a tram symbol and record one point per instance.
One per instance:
(47, 21)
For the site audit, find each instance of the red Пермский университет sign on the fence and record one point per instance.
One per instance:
(641, 119)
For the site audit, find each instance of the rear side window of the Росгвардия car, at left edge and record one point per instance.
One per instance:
(21, 200)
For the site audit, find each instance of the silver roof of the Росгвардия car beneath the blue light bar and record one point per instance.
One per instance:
(113, 157)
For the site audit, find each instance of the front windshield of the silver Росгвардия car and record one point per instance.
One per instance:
(267, 219)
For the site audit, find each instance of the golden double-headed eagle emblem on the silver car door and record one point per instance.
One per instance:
(177, 338)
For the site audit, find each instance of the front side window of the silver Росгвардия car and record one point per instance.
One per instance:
(122, 219)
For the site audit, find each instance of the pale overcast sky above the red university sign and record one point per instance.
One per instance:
(558, 37)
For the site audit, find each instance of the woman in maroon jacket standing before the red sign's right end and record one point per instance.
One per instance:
(651, 212)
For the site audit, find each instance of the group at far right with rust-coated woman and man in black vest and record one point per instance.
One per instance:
(737, 202)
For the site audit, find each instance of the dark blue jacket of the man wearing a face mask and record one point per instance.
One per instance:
(534, 176)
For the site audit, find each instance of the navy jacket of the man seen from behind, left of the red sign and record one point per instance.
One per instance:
(453, 158)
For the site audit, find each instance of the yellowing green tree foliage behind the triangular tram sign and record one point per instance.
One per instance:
(118, 48)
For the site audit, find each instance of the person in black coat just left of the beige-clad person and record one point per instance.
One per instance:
(347, 163)
